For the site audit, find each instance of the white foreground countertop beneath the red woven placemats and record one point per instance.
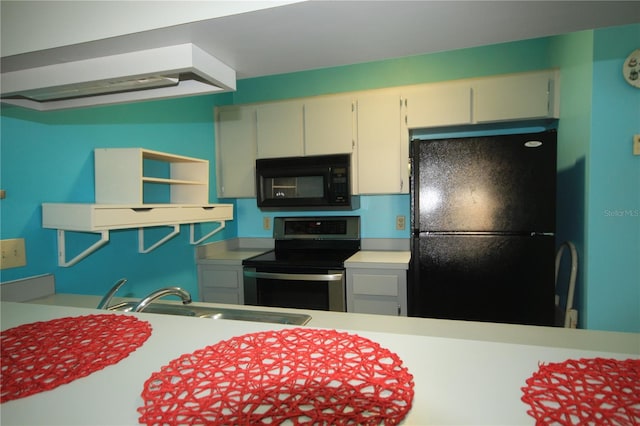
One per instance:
(473, 376)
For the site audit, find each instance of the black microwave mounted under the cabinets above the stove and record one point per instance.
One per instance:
(320, 182)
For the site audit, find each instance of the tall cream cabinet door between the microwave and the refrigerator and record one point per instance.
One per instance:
(382, 144)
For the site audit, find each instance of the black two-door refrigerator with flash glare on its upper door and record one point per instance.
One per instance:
(483, 228)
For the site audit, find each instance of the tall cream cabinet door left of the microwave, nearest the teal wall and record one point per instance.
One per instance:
(236, 151)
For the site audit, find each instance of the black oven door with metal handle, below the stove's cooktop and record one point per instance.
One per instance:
(279, 287)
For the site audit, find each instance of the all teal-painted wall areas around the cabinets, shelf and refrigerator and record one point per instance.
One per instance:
(47, 157)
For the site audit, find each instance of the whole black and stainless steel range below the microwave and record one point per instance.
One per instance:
(306, 268)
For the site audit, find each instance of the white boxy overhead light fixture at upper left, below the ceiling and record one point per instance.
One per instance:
(160, 73)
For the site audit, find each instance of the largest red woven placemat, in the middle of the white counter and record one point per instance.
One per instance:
(299, 375)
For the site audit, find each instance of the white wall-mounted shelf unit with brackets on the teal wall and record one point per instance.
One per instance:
(179, 196)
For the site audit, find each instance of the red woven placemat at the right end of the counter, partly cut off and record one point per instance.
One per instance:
(586, 391)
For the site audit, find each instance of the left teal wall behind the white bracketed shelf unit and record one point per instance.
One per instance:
(48, 157)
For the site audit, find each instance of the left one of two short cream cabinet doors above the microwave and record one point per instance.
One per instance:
(280, 129)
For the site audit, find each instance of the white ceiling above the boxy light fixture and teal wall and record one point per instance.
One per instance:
(318, 34)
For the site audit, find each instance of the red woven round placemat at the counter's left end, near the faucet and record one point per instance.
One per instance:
(44, 355)
